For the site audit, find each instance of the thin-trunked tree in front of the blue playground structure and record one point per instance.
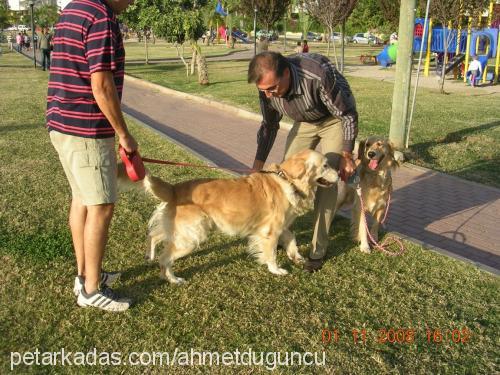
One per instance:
(450, 13)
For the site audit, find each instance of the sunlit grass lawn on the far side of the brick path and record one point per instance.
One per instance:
(457, 133)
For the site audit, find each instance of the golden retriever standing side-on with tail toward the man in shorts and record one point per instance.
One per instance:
(260, 207)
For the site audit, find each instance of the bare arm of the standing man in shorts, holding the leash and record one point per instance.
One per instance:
(106, 96)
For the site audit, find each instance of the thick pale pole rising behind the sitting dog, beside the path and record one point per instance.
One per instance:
(401, 96)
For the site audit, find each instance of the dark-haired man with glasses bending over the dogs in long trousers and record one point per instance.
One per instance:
(308, 89)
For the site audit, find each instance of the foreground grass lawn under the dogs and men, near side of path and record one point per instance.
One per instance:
(229, 301)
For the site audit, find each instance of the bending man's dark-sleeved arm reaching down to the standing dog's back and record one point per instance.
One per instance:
(267, 132)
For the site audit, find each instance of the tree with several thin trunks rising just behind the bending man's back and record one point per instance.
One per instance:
(331, 13)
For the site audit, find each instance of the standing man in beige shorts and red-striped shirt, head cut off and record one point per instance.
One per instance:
(83, 115)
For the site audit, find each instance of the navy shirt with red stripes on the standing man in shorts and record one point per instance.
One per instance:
(87, 40)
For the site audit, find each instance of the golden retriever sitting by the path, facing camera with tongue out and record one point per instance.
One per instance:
(375, 163)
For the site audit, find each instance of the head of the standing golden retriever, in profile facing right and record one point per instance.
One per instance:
(308, 169)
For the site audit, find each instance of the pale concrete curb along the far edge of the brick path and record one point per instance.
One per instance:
(243, 113)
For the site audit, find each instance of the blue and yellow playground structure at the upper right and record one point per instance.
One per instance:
(461, 45)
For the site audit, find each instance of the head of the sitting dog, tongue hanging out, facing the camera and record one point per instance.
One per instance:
(377, 154)
